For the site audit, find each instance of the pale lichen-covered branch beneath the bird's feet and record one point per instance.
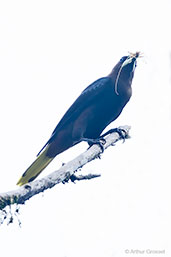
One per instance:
(66, 172)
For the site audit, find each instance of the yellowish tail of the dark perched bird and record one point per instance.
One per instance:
(35, 168)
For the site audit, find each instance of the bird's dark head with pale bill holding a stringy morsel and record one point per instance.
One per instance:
(123, 71)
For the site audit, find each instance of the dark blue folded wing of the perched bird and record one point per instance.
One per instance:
(88, 95)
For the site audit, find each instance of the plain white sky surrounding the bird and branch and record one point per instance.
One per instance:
(49, 52)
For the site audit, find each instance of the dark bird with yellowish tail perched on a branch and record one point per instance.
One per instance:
(97, 106)
